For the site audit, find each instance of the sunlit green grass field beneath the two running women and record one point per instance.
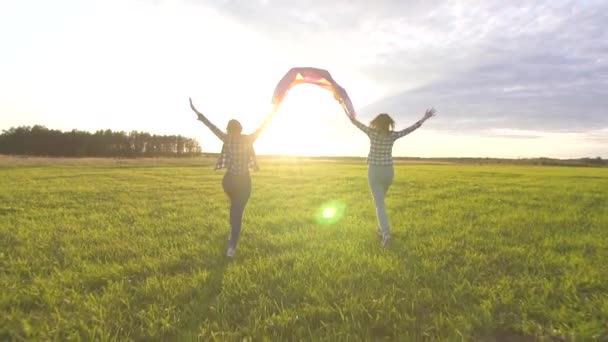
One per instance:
(118, 250)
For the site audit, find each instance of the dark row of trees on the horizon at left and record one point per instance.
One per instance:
(41, 141)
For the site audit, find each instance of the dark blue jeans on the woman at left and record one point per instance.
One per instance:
(238, 189)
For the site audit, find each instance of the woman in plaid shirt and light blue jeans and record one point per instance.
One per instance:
(380, 171)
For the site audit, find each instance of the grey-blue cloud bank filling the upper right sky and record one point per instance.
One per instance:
(550, 74)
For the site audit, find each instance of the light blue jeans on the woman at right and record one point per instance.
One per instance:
(380, 178)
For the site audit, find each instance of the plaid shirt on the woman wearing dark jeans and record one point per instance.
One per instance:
(237, 154)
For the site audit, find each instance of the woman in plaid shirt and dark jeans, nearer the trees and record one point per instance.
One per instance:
(237, 157)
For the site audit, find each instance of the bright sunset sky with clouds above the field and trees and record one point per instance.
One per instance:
(509, 79)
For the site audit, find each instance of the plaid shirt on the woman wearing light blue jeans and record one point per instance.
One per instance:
(381, 143)
